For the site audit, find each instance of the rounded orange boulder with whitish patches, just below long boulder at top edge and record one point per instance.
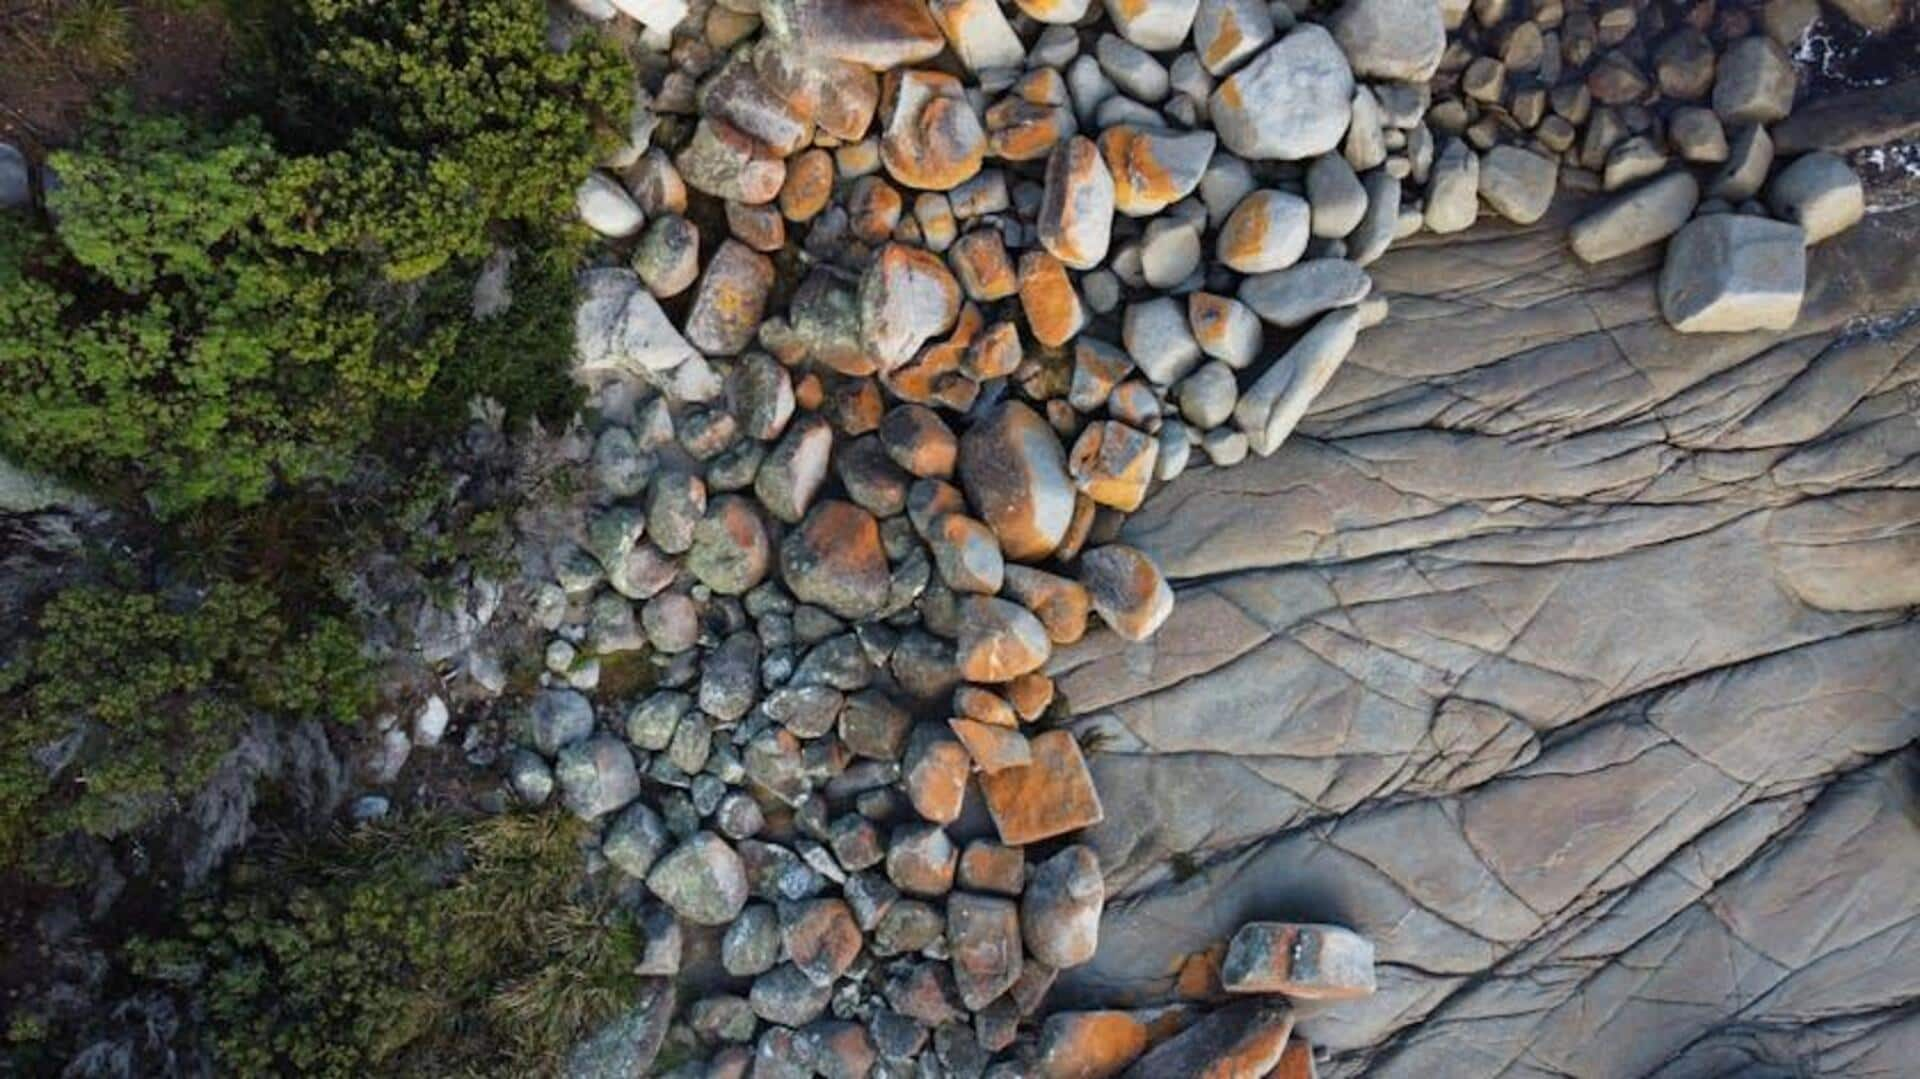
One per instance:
(932, 137)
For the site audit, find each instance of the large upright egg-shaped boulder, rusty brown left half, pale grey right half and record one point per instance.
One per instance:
(1017, 477)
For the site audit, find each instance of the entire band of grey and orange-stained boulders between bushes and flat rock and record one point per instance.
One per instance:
(915, 300)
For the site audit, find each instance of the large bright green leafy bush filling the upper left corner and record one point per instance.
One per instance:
(220, 314)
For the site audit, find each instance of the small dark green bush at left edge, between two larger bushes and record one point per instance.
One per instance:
(126, 704)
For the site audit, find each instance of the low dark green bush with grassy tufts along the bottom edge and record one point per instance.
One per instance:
(429, 947)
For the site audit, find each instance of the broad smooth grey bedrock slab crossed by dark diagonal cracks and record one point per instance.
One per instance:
(1616, 575)
